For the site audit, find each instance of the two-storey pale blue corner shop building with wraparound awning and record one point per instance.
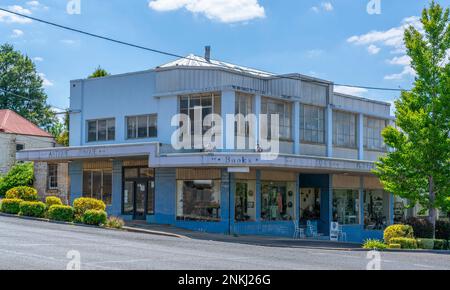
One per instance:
(120, 151)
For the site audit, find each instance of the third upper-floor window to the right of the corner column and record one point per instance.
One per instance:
(312, 124)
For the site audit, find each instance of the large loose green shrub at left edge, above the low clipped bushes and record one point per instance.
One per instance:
(19, 175)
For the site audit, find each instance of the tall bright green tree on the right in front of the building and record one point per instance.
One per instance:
(418, 167)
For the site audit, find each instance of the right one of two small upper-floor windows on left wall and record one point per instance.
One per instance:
(144, 126)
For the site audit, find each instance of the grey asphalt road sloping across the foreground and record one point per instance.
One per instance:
(26, 244)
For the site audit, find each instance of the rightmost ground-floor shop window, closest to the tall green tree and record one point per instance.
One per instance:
(376, 209)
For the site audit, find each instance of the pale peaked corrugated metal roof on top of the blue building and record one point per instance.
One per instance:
(198, 61)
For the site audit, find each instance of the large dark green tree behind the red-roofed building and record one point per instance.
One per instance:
(21, 88)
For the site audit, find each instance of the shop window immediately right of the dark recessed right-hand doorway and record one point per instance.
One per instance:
(346, 206)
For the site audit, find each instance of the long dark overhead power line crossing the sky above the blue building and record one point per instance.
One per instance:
(174, 54)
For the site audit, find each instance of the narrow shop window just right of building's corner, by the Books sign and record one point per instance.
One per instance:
(245, 200)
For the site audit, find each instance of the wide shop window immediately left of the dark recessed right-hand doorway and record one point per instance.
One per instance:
(277, 201)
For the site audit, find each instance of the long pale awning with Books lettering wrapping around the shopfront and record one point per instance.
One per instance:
(202, 159)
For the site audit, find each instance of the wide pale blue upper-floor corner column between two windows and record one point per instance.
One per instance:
(228, 106)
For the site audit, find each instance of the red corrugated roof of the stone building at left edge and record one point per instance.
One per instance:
(11, 122)
